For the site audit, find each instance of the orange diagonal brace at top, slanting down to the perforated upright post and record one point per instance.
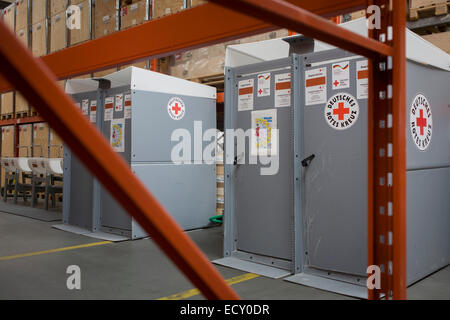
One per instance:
(287, 15)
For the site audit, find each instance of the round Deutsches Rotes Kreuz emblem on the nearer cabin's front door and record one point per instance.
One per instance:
(341, 111)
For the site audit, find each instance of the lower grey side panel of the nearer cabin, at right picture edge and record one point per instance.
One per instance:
(428, 223)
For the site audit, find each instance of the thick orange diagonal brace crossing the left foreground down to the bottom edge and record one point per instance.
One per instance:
(37, 84)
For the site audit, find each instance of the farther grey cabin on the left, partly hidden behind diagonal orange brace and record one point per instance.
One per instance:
(146, 116)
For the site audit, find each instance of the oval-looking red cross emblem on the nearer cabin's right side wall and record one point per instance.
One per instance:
(421, 122)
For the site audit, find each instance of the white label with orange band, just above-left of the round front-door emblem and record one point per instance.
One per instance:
(315, 86)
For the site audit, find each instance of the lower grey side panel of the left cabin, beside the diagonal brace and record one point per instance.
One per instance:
(187, 191)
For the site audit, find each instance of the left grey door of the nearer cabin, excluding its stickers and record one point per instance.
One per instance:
(263, 210)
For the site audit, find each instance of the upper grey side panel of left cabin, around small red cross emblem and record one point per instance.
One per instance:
(153, 127)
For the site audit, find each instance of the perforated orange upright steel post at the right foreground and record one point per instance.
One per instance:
(387, 156)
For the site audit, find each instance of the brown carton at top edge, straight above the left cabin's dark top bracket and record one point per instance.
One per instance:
(105, 17)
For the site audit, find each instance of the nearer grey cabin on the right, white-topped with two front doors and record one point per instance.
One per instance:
(309, 217)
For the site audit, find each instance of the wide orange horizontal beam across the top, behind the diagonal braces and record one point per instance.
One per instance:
(202, 25)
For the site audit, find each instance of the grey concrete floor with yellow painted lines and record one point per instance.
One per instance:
(133, 269)
